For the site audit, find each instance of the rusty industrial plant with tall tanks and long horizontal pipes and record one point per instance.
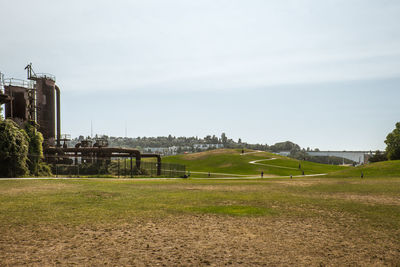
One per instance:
(37, 101)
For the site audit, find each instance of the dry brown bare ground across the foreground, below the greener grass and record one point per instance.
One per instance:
(190, 240)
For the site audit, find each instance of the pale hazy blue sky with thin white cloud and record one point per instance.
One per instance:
(323, 74)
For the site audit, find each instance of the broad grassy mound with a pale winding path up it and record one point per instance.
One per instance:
(230, 161)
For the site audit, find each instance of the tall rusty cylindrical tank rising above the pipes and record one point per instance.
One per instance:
(45, 104)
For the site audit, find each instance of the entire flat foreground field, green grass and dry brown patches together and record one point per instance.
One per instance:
(313, 221)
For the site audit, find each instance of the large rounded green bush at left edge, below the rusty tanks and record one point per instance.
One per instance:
(13, 150)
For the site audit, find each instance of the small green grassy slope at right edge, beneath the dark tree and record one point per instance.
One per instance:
(374, 170)
